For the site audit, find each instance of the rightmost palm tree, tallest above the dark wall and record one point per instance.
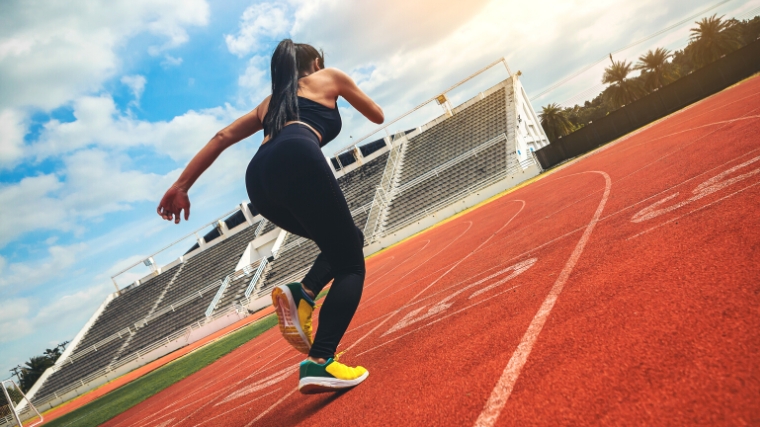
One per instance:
(712, 38)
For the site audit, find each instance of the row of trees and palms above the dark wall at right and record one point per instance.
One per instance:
(712, 38)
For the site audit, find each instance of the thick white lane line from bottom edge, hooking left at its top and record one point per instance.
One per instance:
(508, 378)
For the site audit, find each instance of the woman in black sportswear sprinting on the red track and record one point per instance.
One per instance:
(290, 183)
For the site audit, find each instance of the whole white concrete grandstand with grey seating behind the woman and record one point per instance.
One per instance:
(394, 186)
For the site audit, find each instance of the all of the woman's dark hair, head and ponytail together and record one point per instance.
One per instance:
(289, 61)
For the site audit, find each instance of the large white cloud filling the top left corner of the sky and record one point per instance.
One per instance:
(52, 52)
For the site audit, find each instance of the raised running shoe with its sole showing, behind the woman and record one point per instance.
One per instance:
(294, 308)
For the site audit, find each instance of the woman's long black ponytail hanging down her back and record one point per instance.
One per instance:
(283, 106)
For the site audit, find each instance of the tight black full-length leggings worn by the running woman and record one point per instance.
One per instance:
(291, 184)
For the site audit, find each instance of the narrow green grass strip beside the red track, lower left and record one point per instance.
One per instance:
(129, 395)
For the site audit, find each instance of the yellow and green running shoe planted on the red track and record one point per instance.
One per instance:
(332, 376)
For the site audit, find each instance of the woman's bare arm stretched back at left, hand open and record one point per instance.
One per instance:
(175, 199)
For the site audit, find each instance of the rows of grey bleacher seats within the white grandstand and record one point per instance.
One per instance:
(439, 162)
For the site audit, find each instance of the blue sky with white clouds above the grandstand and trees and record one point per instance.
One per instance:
(103, 103)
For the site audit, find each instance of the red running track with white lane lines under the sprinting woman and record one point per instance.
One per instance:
(622, 288)
